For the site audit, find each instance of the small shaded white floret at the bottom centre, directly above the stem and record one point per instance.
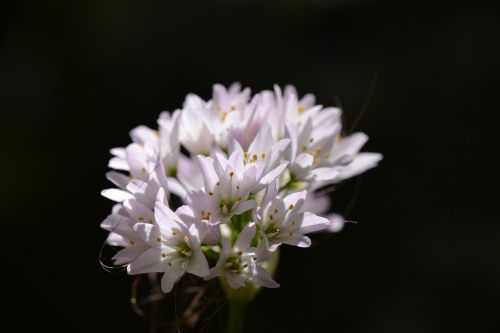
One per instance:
(239, 264)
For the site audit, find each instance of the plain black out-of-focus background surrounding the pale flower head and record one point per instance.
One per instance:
(76, 76)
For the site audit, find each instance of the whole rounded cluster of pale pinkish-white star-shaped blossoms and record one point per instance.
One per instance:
(247, 179)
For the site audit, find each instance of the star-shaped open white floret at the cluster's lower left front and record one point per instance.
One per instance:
(174, 248)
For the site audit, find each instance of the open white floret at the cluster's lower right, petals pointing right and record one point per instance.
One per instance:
(281, 220)
